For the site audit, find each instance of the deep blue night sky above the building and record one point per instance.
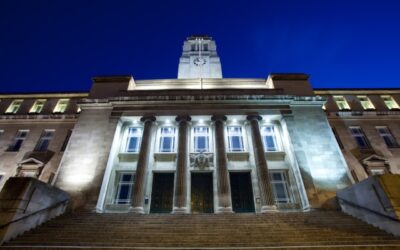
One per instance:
(58, 45)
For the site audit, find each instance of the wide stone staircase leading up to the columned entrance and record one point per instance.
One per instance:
(317, 230)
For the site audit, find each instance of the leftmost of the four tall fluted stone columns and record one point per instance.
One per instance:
(141, 168)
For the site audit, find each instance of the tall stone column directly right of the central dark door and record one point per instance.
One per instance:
(223, 185)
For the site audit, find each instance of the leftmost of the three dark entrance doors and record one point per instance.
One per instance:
(162, 193)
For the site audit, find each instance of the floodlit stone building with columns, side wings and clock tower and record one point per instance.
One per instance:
(201, 143)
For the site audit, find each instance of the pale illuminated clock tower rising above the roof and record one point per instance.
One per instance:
(199, 58)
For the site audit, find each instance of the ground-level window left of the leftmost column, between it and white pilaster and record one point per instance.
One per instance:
(125, 181)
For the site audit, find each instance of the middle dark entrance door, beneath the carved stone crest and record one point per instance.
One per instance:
(202, 193)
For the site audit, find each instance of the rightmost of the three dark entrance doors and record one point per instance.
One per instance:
(242, 192)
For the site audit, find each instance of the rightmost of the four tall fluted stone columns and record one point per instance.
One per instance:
(266, 192)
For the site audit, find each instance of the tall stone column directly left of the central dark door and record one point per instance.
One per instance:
(181, 167)
